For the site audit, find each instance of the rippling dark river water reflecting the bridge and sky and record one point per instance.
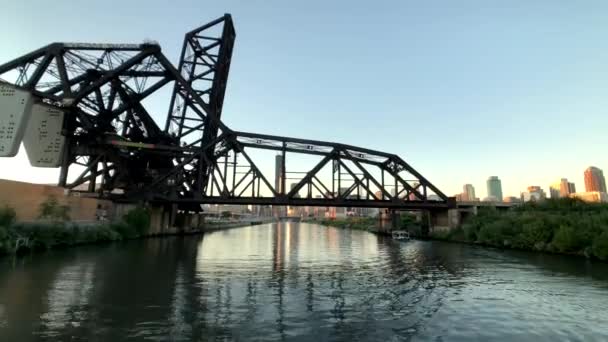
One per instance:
(287, 280)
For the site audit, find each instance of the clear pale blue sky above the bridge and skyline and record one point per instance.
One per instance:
(460, 89)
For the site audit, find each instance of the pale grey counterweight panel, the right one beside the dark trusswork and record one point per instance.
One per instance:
(43, 140)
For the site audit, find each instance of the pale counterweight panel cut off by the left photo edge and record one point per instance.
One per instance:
(15, 105)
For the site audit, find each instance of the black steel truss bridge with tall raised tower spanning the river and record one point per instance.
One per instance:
(115, 149)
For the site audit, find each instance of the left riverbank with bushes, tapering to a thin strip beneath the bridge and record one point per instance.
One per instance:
(16, 237)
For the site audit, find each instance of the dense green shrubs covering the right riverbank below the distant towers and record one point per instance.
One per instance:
(564, 226)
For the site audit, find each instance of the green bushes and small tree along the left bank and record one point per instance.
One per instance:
(54, 231)
